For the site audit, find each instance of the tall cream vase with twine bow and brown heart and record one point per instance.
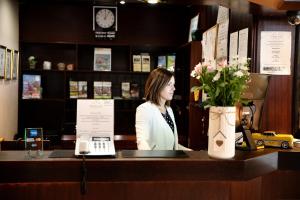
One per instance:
(221, 132)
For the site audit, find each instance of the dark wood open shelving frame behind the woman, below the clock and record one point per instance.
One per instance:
(55, 111)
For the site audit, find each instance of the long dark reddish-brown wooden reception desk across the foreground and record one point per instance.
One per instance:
(262, 174)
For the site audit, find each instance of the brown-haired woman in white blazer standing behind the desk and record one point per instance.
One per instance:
(155, 123)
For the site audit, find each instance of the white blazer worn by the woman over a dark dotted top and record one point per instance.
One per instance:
(152, 130)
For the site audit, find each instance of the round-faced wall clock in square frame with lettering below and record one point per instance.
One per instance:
(105, 22)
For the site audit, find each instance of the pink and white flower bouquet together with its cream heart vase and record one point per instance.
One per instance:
(223, 84)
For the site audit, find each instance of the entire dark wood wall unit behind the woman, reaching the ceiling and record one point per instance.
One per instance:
(62, 32)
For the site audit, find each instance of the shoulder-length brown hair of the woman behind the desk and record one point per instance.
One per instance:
(156, 81)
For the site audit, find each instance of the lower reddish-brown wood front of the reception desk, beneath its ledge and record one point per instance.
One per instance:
(176, 190)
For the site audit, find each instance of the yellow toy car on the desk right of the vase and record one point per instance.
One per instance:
(270, 138)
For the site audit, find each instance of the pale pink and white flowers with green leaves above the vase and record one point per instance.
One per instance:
(223, 83)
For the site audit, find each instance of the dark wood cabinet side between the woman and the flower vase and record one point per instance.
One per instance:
(196, 121)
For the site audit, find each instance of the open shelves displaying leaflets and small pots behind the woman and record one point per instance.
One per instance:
(57, 85)
